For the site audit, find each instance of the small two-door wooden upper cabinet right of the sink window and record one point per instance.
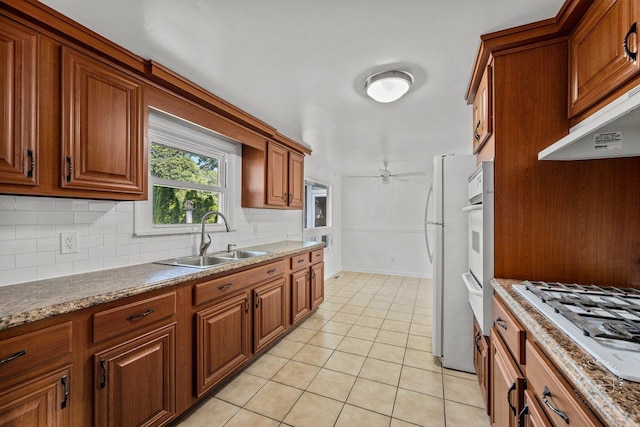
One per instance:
(273, 178)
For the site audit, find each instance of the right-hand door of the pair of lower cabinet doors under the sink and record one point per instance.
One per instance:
(269, 315)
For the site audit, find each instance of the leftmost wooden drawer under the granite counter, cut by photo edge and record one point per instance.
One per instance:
(35, 351)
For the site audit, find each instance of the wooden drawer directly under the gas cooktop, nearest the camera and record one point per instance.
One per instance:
(558, 398)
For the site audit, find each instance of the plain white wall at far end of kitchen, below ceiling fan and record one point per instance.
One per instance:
(383, 226)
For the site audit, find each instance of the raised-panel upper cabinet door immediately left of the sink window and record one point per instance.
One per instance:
(102, 131)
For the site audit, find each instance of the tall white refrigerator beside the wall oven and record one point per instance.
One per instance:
(446, 237)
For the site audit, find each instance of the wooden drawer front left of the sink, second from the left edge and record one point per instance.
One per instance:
(120, 320)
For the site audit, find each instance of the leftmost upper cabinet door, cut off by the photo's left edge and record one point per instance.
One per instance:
(18, 56)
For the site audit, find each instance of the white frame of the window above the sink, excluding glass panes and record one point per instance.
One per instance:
(171, 131)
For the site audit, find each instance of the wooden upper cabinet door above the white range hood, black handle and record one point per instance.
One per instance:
(603, 52)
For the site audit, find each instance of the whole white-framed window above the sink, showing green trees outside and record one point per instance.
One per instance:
(188, 170)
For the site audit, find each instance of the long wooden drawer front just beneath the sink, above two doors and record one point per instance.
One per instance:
(209, 291)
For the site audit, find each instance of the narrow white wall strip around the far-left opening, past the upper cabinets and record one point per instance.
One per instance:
(316, 171)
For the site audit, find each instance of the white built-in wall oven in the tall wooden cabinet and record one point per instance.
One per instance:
(480, 244)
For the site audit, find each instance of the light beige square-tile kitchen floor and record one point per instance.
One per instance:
(362, 359)
